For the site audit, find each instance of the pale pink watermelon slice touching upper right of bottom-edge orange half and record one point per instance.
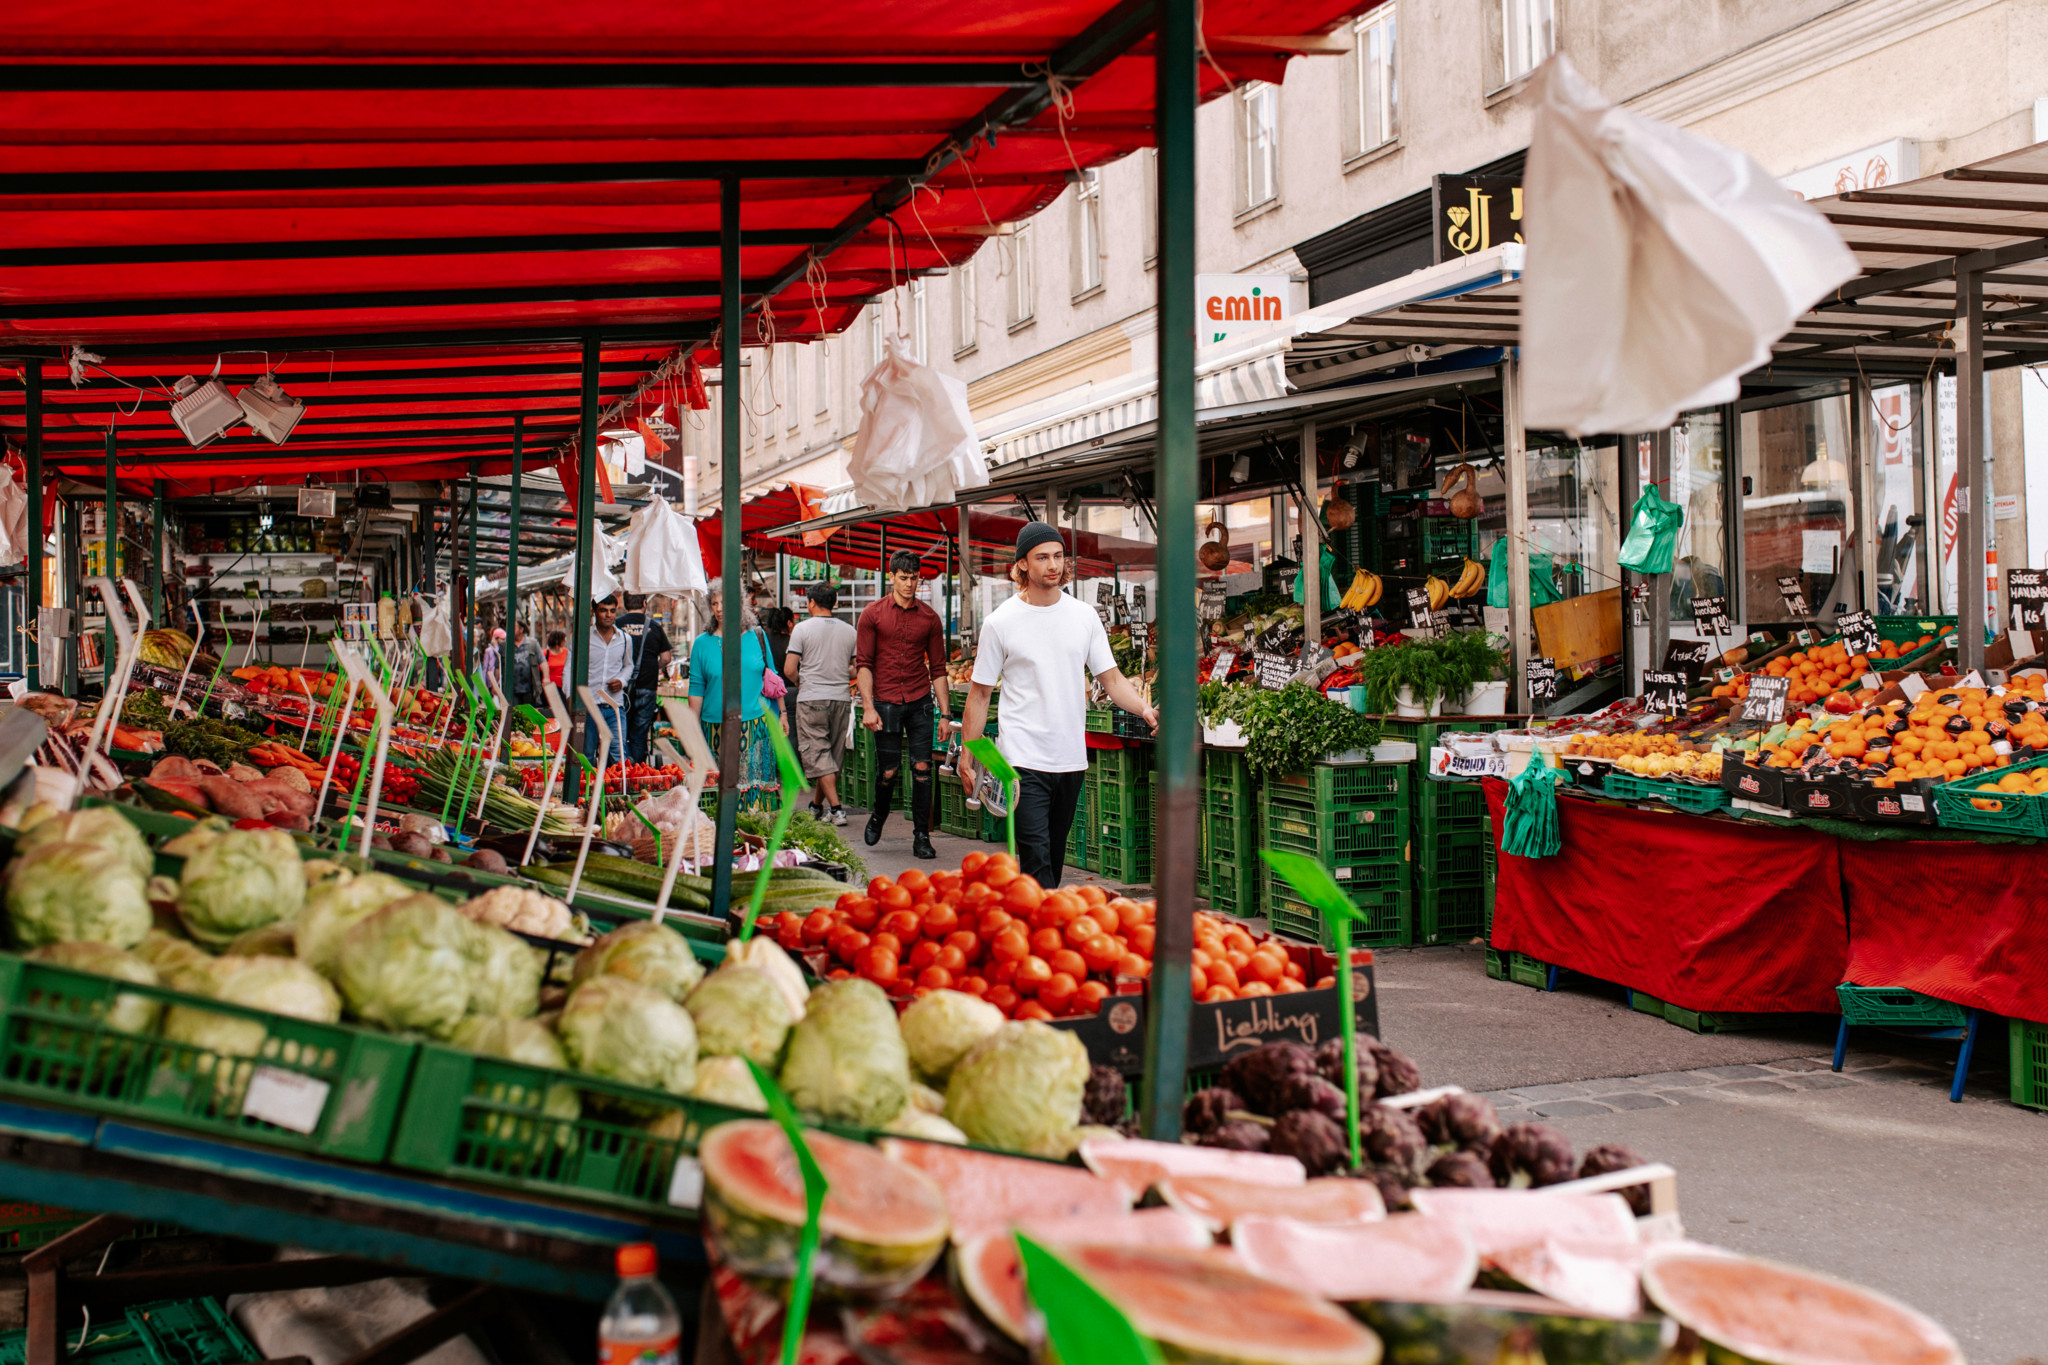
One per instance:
(1404, 1258)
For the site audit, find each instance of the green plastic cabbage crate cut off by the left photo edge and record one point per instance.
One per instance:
(325, 1088)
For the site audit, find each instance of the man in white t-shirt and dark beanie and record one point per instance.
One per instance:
(1041, 646)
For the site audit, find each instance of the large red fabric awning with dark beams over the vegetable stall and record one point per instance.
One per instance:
(415, 214)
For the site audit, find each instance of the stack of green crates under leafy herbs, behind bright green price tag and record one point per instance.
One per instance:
(1353, 820)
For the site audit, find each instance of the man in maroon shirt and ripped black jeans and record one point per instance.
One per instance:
(900, 654)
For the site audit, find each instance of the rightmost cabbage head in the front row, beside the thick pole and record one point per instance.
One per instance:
(1021, 1088)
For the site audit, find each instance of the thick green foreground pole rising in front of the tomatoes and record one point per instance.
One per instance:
(1175, 480)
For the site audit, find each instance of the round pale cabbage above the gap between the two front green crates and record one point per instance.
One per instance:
(411, 967)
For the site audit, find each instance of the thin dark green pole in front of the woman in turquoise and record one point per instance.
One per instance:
(730, 398)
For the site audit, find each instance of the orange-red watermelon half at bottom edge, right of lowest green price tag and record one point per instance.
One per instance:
(1205, 1309)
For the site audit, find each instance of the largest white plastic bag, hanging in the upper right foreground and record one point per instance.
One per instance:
(1660, 265)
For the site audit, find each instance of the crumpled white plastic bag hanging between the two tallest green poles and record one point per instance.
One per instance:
(916, 443)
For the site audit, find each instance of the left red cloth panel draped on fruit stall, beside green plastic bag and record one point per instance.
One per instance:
(1709, 916)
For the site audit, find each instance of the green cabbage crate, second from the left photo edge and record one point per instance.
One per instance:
(499, 1122)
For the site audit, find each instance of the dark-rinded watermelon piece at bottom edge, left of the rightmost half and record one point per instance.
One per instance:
(1488, 1327)
